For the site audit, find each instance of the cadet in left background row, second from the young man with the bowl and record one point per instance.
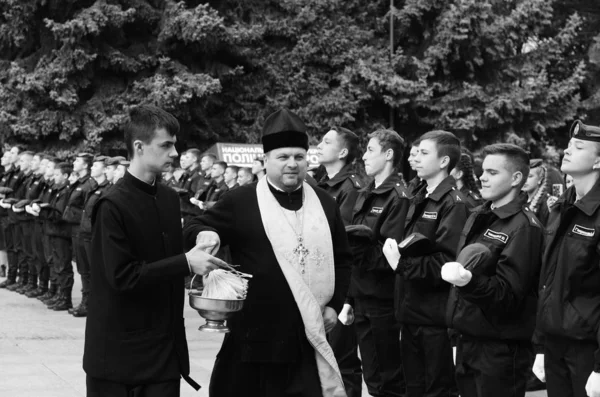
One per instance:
(97, 172)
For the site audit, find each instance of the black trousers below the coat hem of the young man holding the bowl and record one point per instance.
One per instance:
(103, 388)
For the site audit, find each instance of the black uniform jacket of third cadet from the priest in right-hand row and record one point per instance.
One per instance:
(422, 294)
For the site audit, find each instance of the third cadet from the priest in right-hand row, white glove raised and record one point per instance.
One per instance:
(438, 211)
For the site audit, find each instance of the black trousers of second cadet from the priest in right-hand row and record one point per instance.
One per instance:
(378, 335)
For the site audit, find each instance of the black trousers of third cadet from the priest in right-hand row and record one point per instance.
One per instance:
(428, 351)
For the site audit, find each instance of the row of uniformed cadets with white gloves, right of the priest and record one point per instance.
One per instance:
(404, 297)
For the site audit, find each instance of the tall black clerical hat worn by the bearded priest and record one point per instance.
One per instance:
(284, 129)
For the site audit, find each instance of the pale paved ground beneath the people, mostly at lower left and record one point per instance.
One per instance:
(41, 350)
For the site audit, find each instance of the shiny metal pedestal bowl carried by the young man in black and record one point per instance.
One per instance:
(214, 311)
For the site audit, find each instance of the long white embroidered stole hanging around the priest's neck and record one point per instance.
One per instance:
(313, 288)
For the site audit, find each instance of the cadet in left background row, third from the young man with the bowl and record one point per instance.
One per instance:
(72, 214)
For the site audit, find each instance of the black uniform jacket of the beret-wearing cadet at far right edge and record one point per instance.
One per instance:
(569, 293)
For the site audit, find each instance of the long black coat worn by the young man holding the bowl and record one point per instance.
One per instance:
(135, 329)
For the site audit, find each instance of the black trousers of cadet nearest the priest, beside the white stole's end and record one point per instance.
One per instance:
(344, 343)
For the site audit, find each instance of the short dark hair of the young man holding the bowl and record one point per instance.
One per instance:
(144, 121)
